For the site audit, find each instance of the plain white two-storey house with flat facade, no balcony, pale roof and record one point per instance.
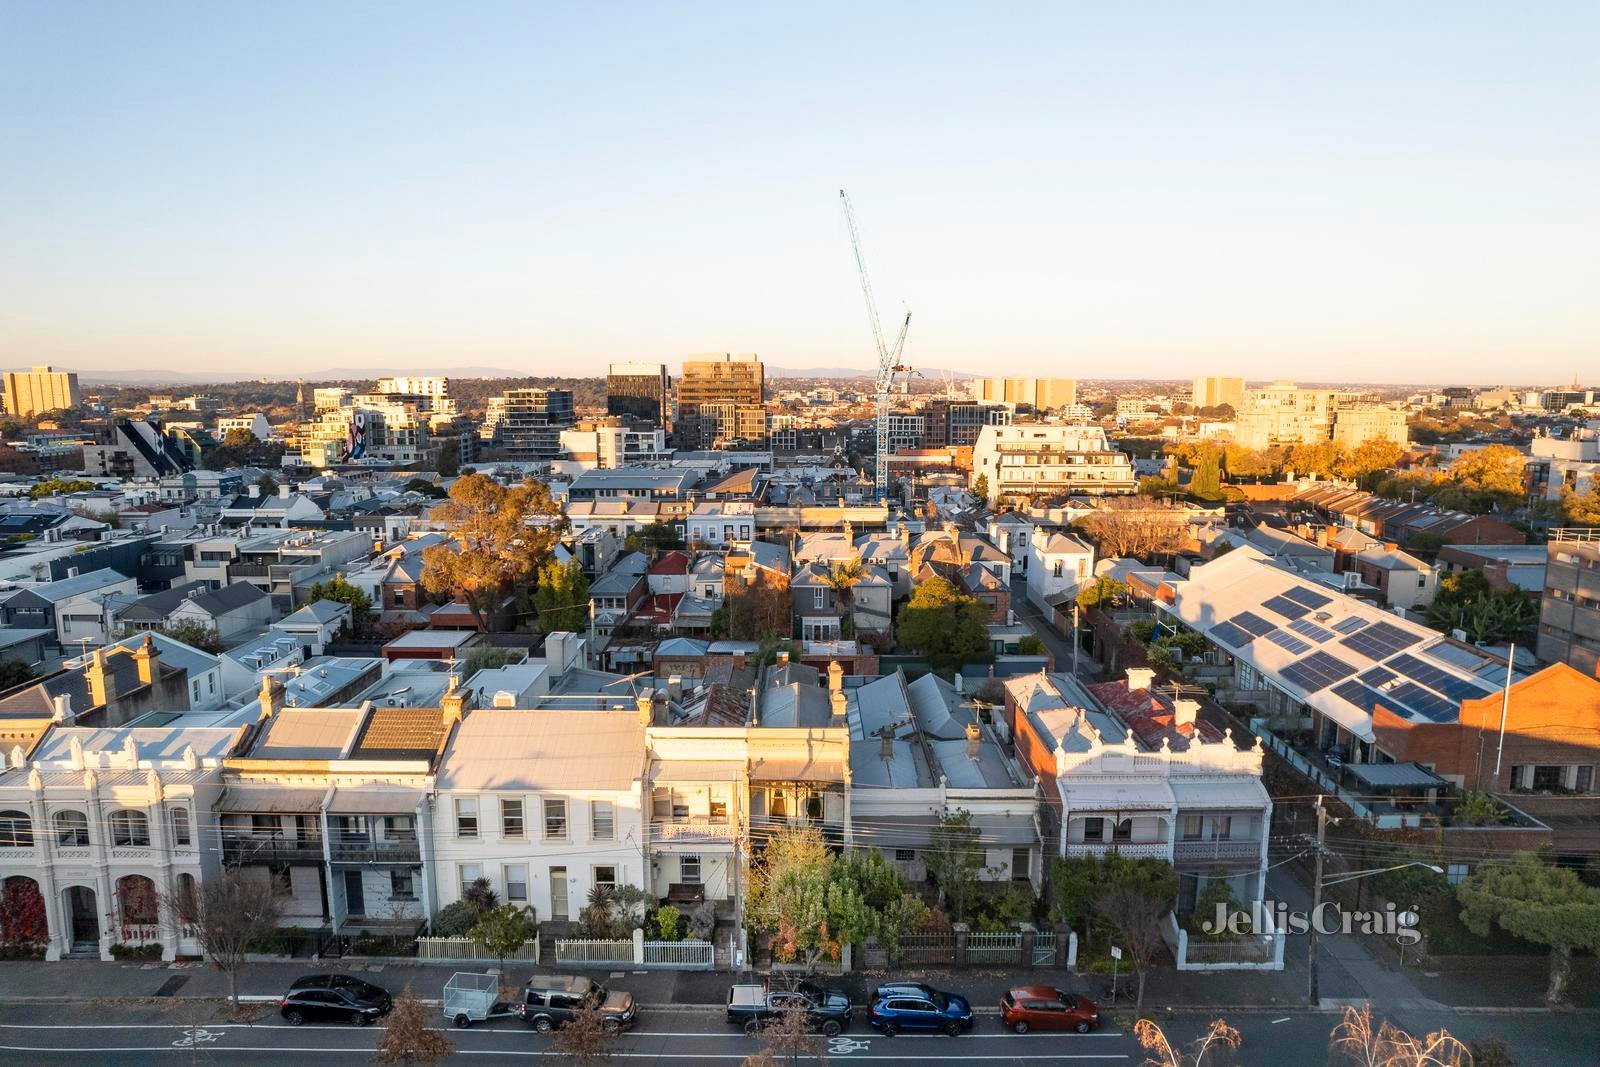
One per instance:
(546, 804)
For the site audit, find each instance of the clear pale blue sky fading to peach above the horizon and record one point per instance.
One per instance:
(1404, 191)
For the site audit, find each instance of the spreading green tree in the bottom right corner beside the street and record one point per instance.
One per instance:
(1538, 903)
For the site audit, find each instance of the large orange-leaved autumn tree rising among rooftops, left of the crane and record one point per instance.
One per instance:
(502, 538)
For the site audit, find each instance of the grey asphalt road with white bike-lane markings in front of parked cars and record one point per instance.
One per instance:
(114, 1034)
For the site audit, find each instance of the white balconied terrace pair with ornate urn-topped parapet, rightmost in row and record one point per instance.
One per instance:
(1199, 809)
